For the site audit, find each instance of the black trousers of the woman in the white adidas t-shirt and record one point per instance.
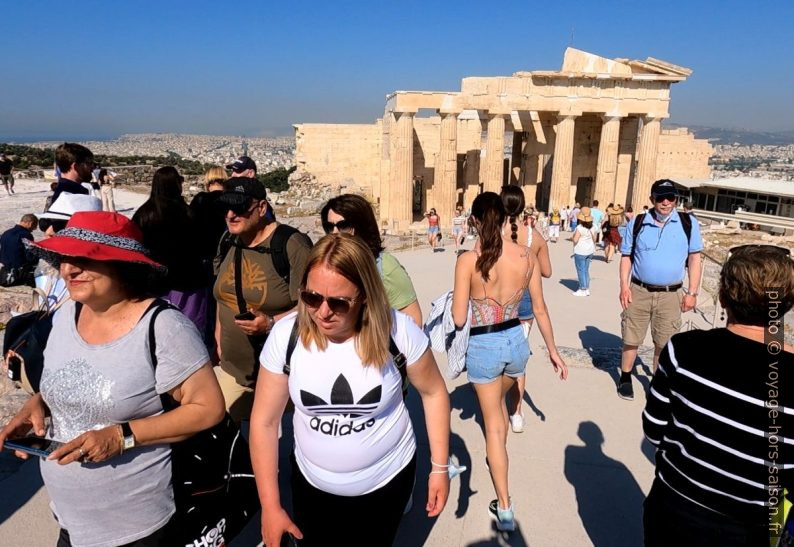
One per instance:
(370, 520)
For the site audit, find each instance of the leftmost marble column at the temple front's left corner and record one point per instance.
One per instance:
(402, 170)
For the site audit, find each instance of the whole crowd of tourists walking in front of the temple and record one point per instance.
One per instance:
(255, 320)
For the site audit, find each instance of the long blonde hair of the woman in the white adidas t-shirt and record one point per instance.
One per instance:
(350, 257)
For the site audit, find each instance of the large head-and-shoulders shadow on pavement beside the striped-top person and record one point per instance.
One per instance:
(609, 498)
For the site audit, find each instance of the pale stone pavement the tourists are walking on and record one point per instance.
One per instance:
(578, 474)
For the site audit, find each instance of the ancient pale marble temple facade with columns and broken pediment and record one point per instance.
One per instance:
(591, 130)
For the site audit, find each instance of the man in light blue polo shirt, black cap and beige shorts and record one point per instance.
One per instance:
(652, 271)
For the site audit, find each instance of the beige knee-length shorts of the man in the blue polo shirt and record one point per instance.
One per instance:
(662, 310)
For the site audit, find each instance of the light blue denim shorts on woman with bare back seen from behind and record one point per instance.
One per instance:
(494, 354)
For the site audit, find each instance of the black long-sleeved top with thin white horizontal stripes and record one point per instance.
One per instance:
(710, 413)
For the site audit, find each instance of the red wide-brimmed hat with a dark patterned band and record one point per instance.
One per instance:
(96, 235)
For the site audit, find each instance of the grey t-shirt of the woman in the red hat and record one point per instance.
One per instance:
(93, 386)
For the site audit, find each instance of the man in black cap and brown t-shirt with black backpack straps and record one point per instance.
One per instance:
(261, 267)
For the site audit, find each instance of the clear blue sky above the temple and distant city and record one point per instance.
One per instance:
(102, 68)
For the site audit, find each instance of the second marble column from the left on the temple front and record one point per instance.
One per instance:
(446, 169)
